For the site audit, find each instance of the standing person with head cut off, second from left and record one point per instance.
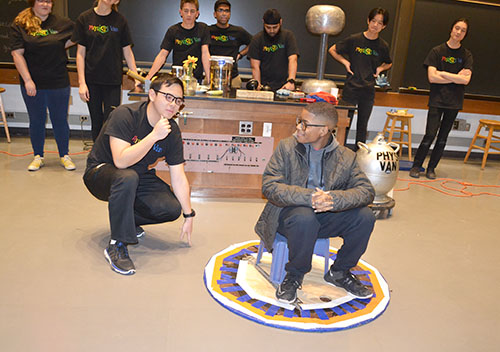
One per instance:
(103, 38)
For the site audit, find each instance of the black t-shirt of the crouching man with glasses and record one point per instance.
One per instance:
(130, 123)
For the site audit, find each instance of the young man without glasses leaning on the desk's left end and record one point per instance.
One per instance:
(186, 38)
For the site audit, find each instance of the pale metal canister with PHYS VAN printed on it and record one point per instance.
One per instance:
(380, 162)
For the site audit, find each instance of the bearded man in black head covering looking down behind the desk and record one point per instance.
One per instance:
(273, 54)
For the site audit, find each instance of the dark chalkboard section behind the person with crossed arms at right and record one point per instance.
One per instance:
(431, 26)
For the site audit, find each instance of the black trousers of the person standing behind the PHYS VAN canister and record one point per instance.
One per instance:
(364, 100)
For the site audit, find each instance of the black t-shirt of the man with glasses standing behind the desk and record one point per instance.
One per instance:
(227, 42)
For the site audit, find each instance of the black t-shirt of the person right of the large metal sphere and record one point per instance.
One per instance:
(365, 55)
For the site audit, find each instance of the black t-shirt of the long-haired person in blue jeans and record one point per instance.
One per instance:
(44, 51)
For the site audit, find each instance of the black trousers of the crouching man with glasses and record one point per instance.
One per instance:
(133, 199)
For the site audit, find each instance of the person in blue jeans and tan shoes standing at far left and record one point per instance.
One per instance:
(38, 42)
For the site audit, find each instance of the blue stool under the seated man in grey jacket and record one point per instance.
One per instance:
(280, 256)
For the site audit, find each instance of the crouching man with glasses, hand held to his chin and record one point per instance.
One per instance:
(118, 170)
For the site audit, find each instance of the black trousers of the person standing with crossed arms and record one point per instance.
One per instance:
(437, 119)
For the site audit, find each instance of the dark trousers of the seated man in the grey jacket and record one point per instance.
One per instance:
(301, 226)
